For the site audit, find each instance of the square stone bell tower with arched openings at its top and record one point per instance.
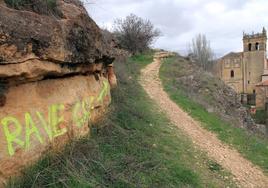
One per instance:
(254, 59)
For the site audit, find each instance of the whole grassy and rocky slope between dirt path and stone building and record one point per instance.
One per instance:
(173, 73)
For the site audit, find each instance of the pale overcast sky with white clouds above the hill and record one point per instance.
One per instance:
(223, 21)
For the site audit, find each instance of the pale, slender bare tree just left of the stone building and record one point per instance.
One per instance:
(201, 51)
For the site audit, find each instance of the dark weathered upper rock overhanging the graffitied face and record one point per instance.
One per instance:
(72, 43)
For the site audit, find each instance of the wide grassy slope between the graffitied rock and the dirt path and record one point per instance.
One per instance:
(135, 146)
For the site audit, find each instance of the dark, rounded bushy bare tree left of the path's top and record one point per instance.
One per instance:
(135, 34)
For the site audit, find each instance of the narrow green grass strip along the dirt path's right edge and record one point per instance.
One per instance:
(252, 147)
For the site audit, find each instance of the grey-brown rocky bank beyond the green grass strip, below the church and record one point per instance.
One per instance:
(211, 93)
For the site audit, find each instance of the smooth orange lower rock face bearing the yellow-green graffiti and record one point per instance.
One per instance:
(44, 115)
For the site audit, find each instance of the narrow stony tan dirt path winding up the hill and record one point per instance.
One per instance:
(246, 174)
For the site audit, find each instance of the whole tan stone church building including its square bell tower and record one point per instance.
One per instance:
(246, 72)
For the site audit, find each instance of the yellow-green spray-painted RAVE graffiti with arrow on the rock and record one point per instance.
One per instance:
(81, 114)
